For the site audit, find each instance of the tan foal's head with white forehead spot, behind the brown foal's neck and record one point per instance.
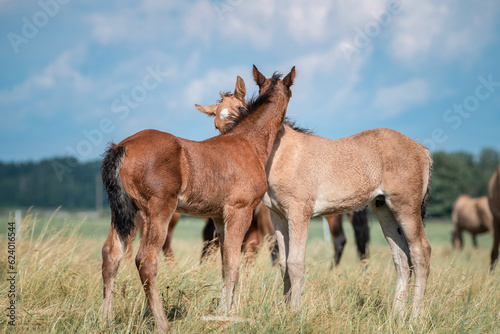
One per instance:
(228, 105)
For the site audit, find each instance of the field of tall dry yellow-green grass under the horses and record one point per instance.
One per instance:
(59, 285)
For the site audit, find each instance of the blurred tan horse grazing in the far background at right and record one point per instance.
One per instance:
(472, 215)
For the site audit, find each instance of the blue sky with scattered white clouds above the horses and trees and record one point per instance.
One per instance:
(76, 75)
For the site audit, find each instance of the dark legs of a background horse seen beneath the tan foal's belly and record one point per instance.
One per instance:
(359, 221)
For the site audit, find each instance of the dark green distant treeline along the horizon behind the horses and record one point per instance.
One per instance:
(76, 185)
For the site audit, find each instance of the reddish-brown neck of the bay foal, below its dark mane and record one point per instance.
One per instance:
(261, 127)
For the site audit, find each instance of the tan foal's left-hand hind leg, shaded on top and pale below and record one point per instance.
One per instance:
(400, 255)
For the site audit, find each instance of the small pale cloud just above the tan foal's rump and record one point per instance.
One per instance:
(390, 102)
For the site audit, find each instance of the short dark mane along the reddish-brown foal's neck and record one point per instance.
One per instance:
(252, 105)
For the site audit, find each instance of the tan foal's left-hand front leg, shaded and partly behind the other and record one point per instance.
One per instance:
(282, 239)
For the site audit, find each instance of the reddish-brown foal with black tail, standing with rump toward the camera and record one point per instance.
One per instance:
(153, 174)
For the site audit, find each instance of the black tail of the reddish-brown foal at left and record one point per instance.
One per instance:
(123, 209)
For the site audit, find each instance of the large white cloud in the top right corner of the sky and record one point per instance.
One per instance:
(429, 31)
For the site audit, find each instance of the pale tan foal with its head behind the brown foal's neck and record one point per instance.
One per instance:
(310, 176)
